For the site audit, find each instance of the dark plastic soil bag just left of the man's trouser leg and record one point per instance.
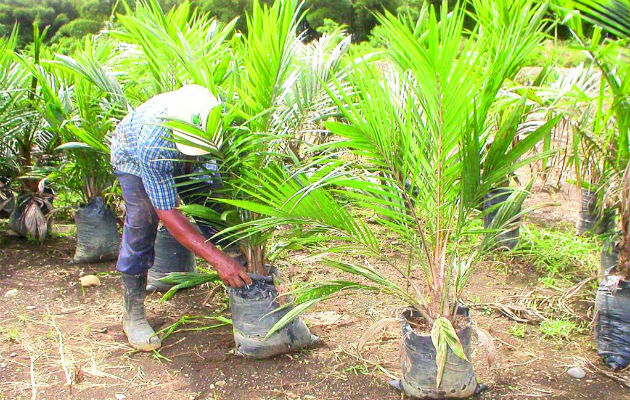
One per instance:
(97, 233)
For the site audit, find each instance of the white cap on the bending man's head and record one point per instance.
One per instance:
(192, 104)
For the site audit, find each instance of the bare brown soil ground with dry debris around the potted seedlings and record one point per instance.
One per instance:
(61, 341)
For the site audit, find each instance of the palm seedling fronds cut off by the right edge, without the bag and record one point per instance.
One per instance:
(604, 147)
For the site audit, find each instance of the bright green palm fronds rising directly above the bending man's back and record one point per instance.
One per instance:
(166, 50)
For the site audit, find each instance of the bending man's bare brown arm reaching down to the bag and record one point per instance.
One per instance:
(230, 271)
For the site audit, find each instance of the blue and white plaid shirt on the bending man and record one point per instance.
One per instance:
(141, 147)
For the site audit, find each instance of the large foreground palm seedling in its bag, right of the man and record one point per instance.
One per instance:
(412, 130)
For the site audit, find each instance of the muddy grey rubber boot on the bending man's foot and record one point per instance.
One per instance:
(139, 333)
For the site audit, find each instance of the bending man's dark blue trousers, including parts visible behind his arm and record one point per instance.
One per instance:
(136, 251)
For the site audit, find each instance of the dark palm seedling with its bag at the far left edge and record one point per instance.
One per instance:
(26, 140)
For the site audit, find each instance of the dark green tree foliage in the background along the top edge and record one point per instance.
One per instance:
(70, 20)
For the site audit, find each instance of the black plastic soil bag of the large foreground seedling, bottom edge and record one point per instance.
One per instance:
(420, 369)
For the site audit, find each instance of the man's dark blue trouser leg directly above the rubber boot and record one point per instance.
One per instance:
(136, 252)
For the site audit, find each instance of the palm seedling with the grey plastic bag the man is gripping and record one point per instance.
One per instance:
(247, 142)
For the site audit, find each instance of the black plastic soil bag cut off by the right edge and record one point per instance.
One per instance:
(612, 322)
